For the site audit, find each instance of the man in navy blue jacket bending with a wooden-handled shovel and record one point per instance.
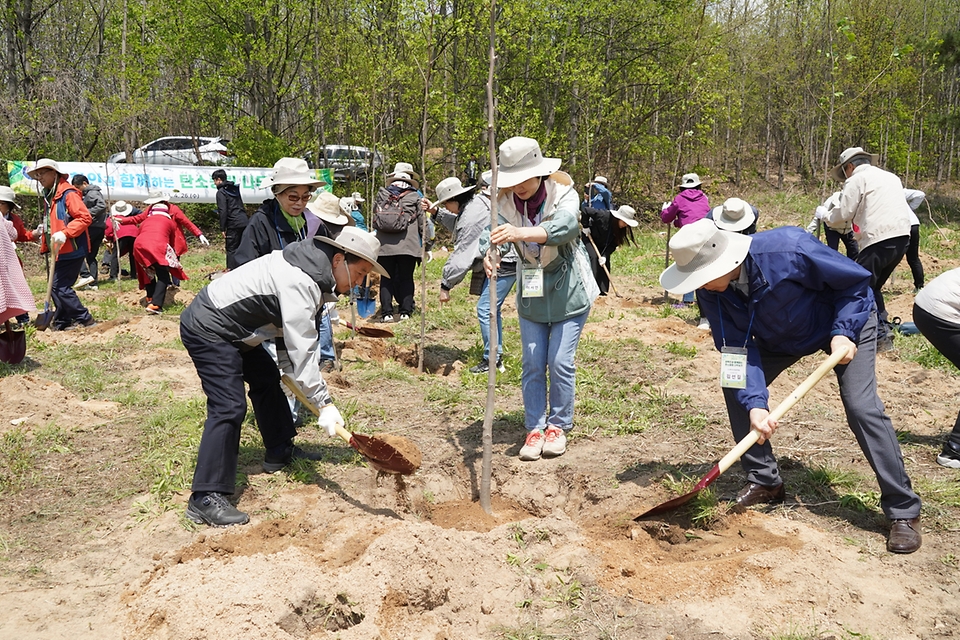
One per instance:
(771, 299)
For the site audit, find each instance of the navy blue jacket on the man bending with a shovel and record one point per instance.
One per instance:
(802, 293)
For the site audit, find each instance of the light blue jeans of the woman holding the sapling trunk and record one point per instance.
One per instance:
(550, 347)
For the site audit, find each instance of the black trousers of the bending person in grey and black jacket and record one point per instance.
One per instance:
(223, 368)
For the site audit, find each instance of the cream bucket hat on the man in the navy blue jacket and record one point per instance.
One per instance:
(703, 253)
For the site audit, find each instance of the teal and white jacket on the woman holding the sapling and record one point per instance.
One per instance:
(569, 287)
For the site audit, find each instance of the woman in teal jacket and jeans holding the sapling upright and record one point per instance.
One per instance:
(538, 207)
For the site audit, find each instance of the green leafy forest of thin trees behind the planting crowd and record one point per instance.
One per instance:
(638, 90)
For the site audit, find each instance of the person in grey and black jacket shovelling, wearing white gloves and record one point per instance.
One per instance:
(276, 297)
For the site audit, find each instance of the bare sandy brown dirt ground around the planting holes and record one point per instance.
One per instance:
(352, 555)
